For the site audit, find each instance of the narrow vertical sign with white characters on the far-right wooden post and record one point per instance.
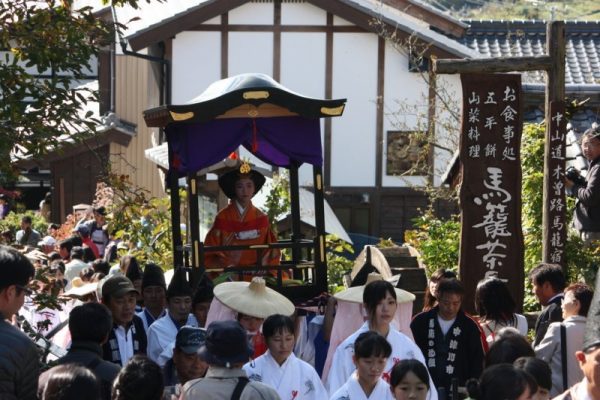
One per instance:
(554, 186)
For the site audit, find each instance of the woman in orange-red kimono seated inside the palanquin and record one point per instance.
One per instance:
(240, 223)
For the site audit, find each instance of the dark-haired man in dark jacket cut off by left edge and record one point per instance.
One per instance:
(19, 364)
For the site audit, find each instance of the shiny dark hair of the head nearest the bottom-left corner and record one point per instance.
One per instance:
(71, 382)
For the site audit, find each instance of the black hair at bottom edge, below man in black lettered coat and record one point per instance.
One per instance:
(501, 381)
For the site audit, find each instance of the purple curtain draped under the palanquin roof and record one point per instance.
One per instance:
(278, 141)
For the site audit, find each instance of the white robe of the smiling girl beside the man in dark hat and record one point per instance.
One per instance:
(293, 380)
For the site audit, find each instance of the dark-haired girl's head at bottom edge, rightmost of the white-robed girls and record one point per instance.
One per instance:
(409, 380)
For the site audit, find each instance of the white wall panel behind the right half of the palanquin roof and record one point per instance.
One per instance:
(303, 71)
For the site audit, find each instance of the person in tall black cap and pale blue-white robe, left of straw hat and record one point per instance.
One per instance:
(162, 333)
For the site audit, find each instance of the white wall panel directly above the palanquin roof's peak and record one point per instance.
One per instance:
(250, 52)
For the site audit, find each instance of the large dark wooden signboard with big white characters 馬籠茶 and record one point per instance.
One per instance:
(490, 194)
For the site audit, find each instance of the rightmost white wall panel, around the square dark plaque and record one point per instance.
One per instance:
(405, 109)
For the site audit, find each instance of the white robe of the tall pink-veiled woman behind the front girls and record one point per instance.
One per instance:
(403, 348)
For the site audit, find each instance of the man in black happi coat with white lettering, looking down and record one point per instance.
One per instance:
(451, 339)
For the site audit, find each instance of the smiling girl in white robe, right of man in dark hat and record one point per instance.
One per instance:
(291, 377)
